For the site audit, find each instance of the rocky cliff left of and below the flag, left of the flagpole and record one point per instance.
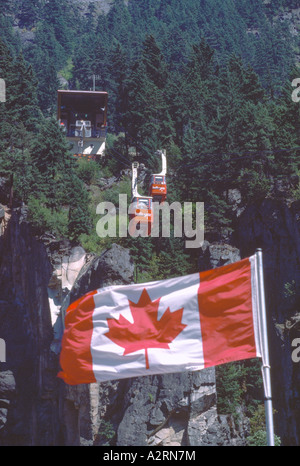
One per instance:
(39, 278)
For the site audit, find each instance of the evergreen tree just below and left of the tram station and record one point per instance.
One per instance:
(56, 185)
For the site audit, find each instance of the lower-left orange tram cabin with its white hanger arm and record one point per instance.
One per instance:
(141, 206)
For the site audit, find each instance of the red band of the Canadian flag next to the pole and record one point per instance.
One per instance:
(225, 307)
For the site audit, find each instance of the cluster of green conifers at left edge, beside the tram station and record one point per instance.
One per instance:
(34, 154)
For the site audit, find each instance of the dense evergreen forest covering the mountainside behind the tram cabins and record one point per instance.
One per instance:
(209, 81)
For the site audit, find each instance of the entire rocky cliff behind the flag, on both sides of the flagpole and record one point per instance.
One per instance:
(40, 277)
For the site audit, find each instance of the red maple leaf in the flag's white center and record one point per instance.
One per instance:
(146, 331)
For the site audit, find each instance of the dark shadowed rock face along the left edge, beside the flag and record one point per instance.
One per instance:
(25, 325)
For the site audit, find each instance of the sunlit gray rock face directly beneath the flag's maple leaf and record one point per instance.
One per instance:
(173, 410)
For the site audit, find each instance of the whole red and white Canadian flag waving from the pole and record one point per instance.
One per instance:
(174, 325)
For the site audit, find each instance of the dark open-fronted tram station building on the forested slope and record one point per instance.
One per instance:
(82, 116)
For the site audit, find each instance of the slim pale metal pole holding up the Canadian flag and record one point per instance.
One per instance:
(266, 374)
